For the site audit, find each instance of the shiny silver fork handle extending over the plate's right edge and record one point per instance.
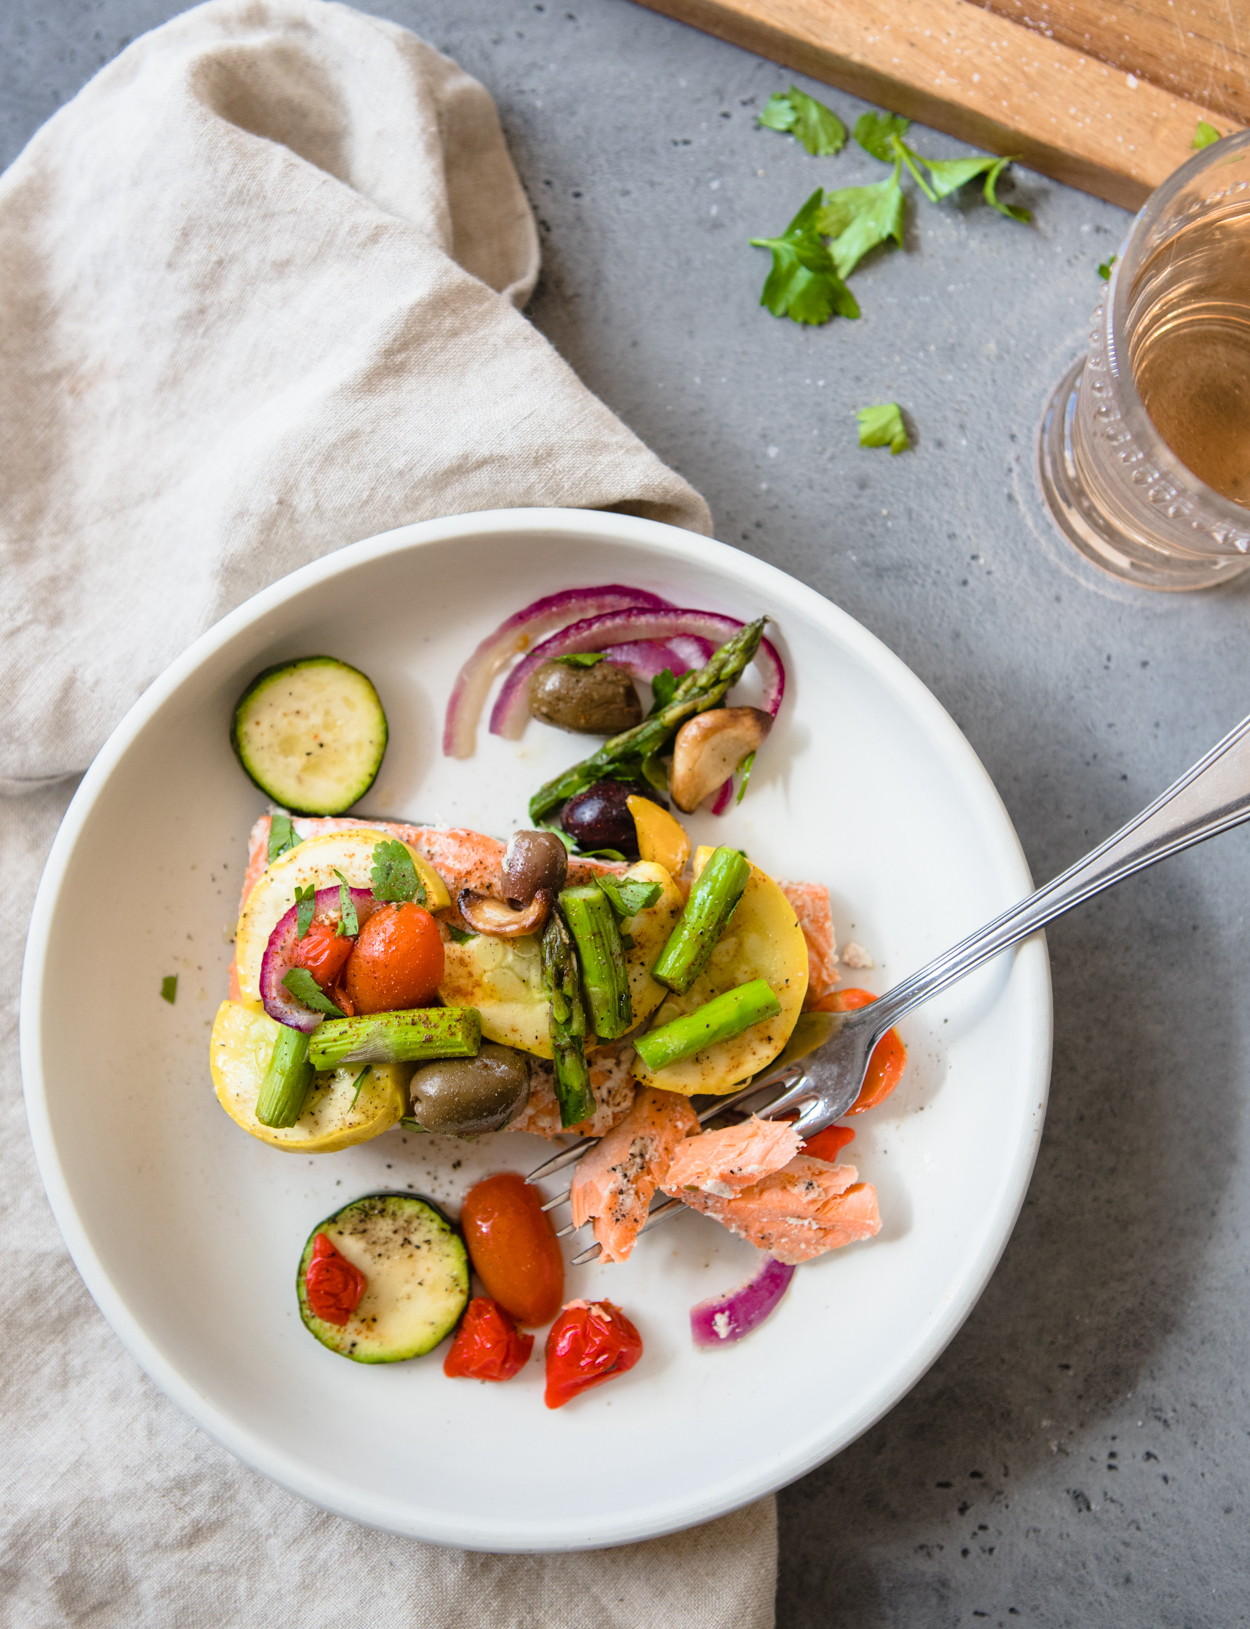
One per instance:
(1212, 797)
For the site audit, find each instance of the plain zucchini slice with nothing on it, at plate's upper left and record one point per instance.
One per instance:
(310, 735)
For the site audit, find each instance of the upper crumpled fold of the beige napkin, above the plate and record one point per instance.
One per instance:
(258, 299)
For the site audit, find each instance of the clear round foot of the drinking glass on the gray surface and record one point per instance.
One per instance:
(1086, 529)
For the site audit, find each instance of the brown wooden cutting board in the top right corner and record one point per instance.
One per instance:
(1104, 95)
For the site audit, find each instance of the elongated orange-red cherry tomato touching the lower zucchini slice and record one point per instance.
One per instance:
(514, 1247)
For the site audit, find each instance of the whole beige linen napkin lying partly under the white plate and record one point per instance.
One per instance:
(258, 299)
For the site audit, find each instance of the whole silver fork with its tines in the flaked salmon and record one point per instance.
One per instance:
(1210, 799)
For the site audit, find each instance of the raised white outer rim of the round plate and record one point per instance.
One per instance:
(1032, 968)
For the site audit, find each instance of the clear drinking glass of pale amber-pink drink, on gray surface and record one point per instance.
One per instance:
(1147, 444)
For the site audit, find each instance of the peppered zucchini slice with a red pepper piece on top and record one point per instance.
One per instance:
(416, 1278)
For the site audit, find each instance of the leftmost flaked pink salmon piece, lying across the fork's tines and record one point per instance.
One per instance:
(615, 1183)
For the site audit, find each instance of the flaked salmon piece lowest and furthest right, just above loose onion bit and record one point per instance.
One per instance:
(798, 1213)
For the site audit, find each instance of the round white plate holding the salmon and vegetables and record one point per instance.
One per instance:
(188, 1232)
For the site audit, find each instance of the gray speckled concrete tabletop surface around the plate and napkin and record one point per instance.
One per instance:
(1080, 1454)
